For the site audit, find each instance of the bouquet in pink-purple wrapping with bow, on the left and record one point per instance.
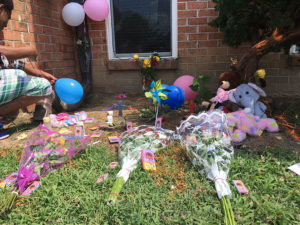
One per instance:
(44, 152)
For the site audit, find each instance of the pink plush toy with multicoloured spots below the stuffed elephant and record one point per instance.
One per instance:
(241, 123)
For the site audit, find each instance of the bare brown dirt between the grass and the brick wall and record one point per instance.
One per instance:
(22, 127)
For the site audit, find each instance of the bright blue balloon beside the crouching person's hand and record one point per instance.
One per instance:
(68, 90)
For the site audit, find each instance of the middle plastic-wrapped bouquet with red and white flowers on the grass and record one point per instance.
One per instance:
(131, 144)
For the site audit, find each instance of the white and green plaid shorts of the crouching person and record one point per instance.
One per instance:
(15, 83)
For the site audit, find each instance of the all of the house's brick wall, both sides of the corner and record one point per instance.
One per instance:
(200, 47)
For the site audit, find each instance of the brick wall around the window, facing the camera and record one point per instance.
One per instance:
(201, 51)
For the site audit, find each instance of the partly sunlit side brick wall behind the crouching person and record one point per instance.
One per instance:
(39, 22)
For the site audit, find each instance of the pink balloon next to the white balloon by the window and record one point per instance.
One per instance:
(96, 9)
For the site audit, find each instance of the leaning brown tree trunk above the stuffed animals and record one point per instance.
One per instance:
(248, 64)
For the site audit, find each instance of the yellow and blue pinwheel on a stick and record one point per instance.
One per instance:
(157, 93)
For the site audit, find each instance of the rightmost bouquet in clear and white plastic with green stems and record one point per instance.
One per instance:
(209, 148)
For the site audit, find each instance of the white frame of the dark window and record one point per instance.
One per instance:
(174, 34)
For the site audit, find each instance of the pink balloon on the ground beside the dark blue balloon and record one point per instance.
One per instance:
(184, 83)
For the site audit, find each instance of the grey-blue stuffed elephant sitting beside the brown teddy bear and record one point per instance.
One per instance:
(246, 96)
